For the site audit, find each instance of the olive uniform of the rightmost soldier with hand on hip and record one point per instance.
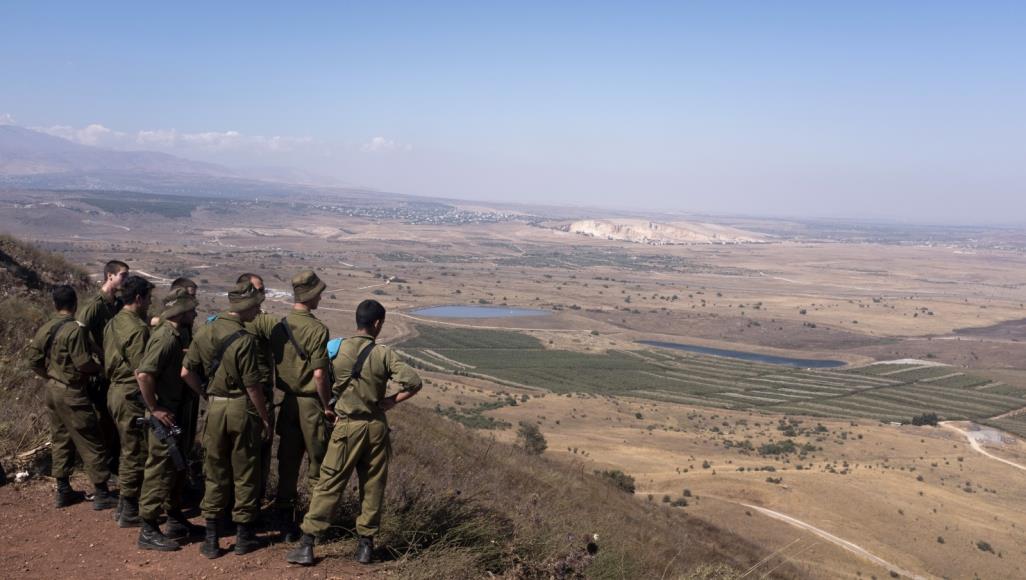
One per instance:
(361, 439)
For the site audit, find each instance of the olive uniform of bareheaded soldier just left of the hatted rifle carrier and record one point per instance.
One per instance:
(125, 344)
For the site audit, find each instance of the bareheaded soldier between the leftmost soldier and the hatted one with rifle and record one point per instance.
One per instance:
(125, 343)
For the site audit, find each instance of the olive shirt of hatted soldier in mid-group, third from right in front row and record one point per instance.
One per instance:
(242, 364)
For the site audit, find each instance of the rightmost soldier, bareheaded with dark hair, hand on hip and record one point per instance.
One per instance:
(361, 440)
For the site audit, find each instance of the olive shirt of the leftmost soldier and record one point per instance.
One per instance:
(69, 352)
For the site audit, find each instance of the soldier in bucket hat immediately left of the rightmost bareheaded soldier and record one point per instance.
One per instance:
(299, 343)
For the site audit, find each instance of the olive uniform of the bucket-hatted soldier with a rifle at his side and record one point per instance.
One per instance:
(163, 485)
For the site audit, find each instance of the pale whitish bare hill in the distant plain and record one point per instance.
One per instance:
(643, 231)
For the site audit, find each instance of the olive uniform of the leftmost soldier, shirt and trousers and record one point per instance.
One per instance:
(73, 422)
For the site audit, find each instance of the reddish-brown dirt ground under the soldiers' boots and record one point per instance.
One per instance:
(41, 542)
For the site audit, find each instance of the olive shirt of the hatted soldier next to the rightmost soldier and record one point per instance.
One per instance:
(296, 374)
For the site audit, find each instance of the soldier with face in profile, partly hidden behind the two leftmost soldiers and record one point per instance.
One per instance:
(96, 314)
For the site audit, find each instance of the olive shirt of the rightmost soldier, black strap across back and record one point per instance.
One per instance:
(361, 397)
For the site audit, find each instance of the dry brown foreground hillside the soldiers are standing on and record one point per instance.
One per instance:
(459, 505)
